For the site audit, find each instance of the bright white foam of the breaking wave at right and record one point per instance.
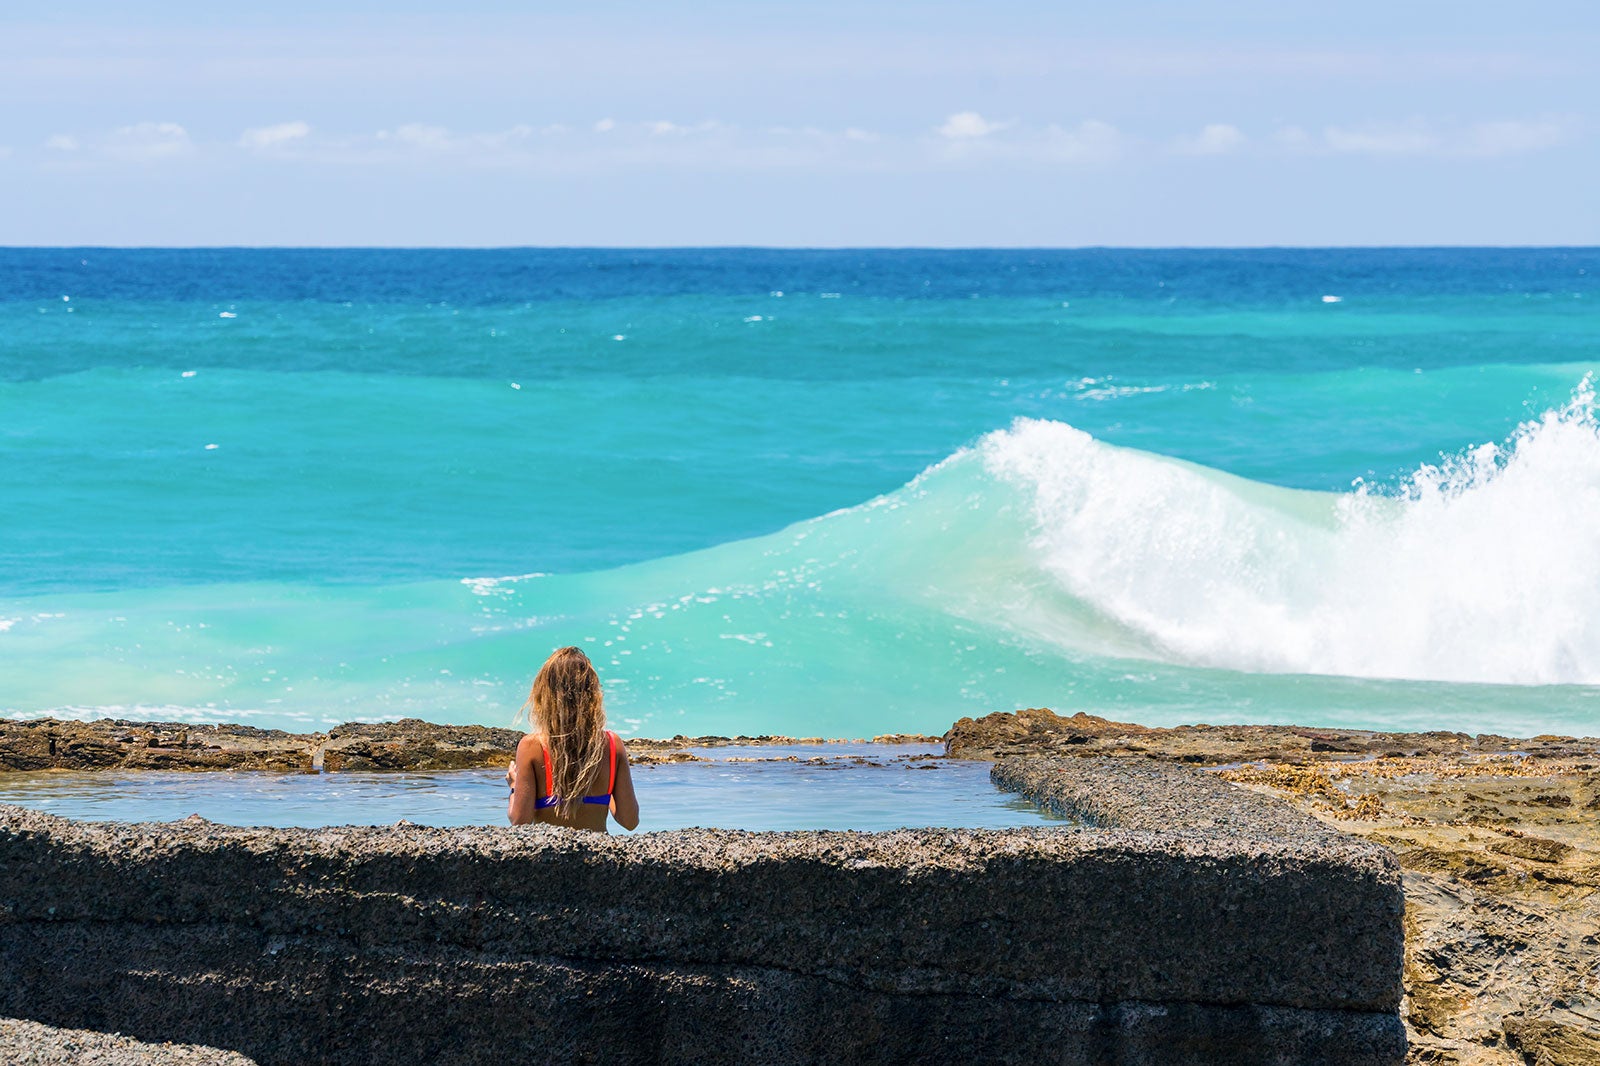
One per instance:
(1481, 569)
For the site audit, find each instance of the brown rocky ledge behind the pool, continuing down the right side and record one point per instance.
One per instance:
(1498, 838)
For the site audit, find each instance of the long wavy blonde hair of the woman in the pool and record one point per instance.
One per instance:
(566, 703)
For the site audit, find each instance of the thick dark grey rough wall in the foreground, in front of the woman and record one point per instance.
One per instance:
(410, 945)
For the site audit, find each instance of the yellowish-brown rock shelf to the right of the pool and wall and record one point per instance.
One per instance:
(1498, 840)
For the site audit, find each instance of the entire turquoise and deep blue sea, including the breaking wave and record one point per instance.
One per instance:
(812, 494)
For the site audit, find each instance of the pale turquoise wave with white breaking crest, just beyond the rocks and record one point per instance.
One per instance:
(1039, 566)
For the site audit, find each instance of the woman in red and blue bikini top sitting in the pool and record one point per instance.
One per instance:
(570, 769)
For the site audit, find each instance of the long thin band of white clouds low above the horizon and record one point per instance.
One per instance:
(964, 140)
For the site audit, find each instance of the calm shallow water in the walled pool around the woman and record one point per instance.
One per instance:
(838, 787)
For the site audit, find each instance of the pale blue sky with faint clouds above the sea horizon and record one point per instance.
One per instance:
(830, 124)
